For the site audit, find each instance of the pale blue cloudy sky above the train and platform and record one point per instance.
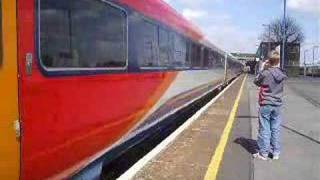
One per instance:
(236, 25)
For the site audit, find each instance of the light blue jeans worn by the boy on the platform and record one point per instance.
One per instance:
(269, 130)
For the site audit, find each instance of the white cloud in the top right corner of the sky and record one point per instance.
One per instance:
(306, 6)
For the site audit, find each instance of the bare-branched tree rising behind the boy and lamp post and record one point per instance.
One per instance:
(294, 33)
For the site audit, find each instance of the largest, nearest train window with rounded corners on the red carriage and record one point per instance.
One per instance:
(82, 34)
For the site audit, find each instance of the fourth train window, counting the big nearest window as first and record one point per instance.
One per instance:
(180, 51)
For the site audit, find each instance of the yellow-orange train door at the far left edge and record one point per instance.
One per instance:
(9, 124)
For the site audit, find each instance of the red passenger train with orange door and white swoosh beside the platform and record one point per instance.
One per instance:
(83, 79)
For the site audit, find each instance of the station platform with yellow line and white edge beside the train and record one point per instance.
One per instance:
(218, 141)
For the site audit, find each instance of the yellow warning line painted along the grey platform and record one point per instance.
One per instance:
(214, 165)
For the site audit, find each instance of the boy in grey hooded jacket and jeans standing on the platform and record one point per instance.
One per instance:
(270, 80)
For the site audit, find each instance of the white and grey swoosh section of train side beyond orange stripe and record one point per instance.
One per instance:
(187, 85)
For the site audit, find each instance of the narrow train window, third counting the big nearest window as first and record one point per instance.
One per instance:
(164, 48)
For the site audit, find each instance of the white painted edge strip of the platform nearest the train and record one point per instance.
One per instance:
(130, 173)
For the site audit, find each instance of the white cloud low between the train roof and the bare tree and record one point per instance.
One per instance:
(220, 29)
